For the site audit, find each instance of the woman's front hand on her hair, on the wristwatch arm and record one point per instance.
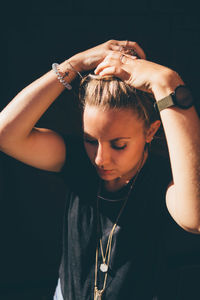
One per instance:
(140, 73)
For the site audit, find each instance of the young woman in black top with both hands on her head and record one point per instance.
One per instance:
(119, 193)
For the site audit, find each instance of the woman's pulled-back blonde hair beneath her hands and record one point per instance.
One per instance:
(112, 93)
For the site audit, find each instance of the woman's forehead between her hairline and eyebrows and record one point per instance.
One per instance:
(111, 123)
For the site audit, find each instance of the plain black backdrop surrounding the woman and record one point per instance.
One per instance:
(33, 36)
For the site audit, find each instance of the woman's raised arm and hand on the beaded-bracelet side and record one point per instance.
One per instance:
(43, 148)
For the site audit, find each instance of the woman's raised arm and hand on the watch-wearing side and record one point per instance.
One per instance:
(182, 130)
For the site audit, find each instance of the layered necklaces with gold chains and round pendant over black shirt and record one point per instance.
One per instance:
(104, 265)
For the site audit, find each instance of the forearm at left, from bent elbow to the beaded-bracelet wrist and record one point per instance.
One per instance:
(20, 115)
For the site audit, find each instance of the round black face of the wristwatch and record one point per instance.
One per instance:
(182, 97)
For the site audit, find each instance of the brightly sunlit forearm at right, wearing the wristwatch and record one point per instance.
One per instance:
(182, 130)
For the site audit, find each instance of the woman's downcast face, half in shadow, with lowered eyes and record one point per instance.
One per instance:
(114, 141)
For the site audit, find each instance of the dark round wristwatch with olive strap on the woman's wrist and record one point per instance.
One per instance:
(181, 98)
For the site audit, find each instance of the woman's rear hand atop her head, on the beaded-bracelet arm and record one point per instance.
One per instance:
(91, 58)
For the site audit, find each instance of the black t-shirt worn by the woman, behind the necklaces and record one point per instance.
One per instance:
(134, 254)
